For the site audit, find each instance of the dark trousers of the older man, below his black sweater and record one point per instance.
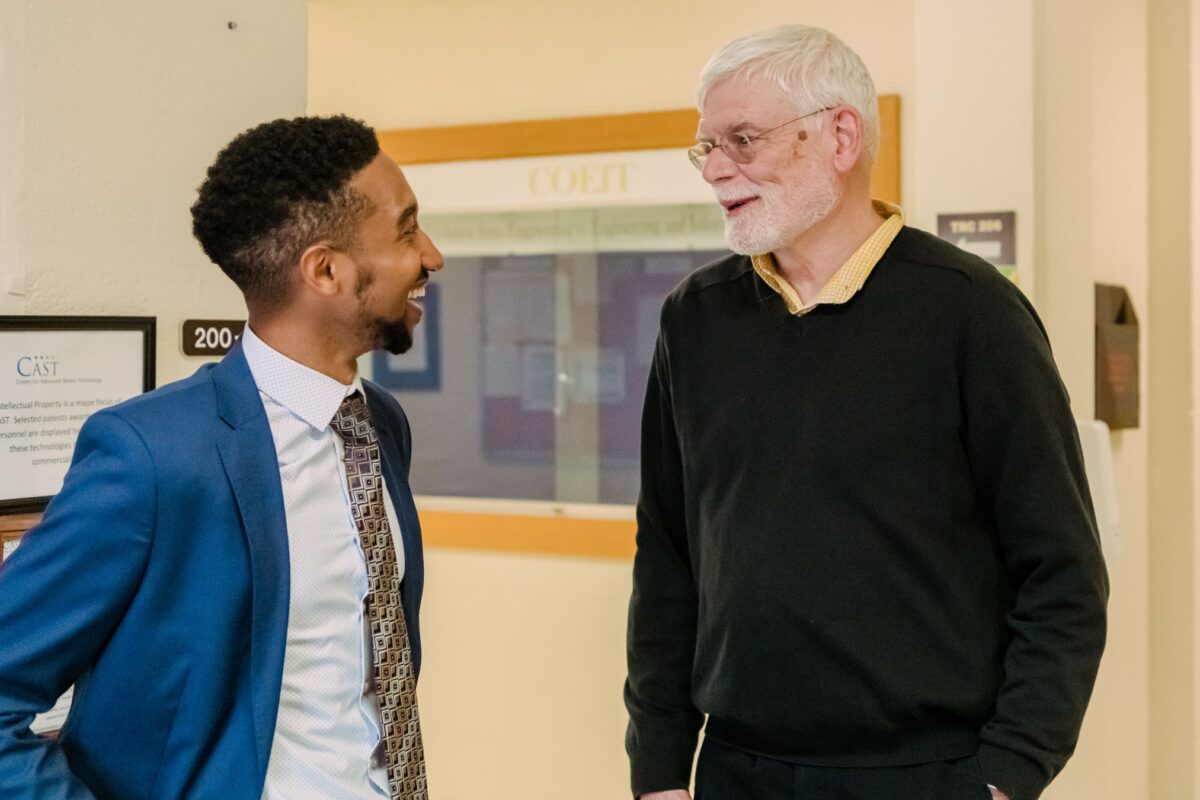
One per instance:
(729, 774)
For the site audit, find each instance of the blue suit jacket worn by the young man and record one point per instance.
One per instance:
(158, 584)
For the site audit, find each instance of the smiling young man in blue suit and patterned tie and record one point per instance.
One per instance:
(206, 580)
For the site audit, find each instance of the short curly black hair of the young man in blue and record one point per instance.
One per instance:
(278, 189)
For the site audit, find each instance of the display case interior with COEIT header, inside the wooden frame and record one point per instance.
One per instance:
(538, 341)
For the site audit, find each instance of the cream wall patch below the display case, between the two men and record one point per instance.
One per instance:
(523, 676)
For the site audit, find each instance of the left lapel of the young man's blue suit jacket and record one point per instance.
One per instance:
(248, 453)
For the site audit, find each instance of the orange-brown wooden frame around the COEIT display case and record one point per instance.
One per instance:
(555, 528)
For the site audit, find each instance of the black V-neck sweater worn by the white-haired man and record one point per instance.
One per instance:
(865, 536)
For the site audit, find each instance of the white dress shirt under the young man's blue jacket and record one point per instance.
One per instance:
(327, 737)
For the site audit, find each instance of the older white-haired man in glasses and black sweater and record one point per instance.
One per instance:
(866, 546)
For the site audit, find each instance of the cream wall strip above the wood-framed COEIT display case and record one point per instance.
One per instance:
(425, 64)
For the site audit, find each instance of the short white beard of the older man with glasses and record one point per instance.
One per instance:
(781, 215)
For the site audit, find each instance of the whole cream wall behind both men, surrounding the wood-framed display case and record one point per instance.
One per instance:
(1035, 107)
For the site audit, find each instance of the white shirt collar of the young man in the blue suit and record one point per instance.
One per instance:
(308, 394)
